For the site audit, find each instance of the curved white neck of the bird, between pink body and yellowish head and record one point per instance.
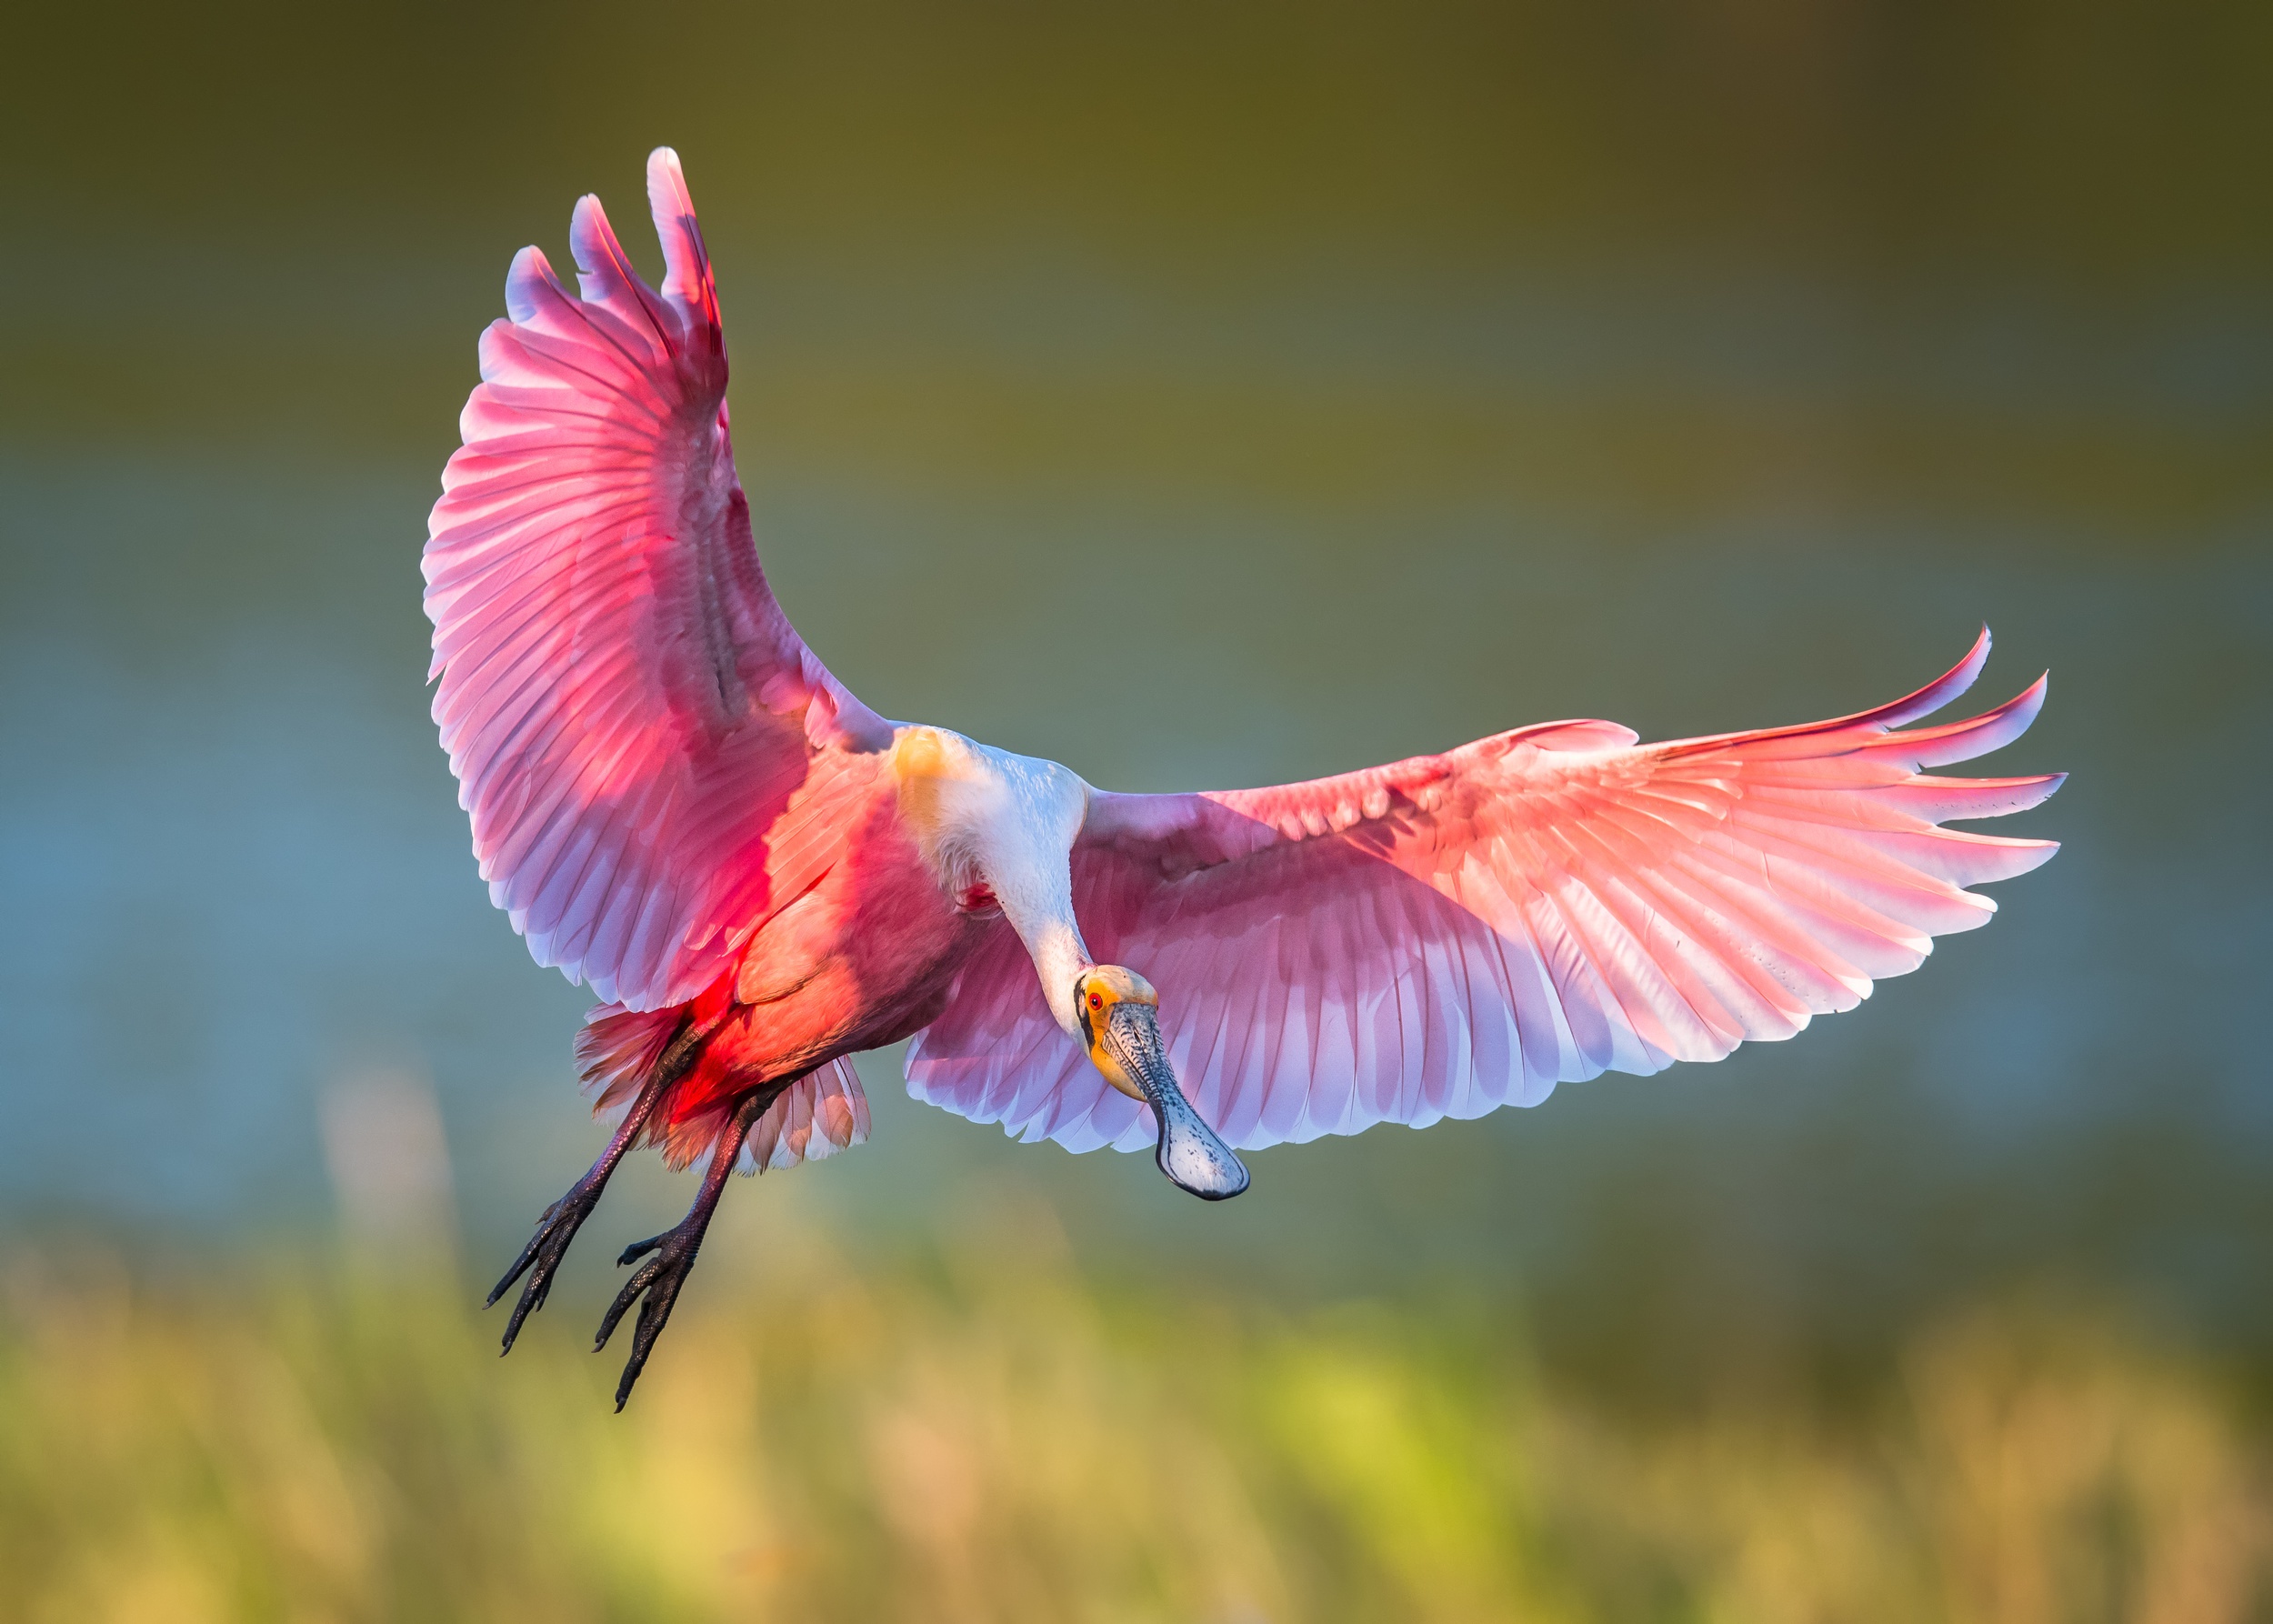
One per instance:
(1010, 822)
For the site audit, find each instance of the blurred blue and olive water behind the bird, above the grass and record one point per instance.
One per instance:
(1322, 408)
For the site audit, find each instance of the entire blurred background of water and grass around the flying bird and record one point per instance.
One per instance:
(1297, 388)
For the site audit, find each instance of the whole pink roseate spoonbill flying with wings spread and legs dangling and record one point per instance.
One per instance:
(681, 806)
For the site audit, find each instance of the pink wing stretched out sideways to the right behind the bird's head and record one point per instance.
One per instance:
(1463, 931)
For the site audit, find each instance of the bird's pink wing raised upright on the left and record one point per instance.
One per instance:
(649, 749)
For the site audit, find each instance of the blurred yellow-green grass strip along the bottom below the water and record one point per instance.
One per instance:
(999, 1439)
